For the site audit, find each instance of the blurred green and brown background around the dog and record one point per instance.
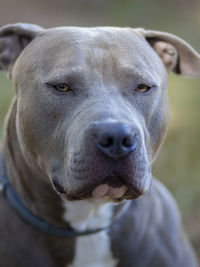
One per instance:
(178, 164)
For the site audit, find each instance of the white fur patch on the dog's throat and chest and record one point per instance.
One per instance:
(91, 250)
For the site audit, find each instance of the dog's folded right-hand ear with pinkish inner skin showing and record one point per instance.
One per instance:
(176, 54)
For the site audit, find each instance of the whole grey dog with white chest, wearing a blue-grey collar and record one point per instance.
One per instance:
(89, 115)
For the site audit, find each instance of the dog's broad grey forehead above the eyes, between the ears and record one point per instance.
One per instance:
(105, 49)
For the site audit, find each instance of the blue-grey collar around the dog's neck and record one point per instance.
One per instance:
(32, 219)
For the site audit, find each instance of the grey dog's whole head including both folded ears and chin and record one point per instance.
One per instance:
(92, 108)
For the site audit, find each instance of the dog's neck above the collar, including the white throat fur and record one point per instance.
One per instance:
(37, 194)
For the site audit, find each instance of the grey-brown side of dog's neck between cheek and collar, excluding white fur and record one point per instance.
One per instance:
(30, 184)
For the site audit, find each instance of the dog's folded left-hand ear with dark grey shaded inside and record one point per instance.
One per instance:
(13, 39)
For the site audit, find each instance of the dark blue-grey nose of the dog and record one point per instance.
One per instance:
(115, 139)
